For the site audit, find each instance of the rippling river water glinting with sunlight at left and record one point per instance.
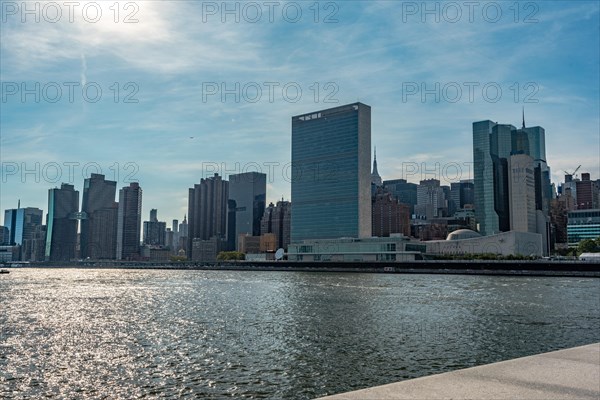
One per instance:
(73, 333)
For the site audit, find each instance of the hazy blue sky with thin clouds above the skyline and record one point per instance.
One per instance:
(168, 92)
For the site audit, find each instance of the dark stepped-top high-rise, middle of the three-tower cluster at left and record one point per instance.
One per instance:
(98, 238)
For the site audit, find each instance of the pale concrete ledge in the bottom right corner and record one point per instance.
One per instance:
(565, 374)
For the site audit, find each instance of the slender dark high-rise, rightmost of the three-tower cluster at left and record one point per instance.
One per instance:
(129, 222)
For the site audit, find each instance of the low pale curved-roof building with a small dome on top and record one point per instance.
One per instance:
(466, 241)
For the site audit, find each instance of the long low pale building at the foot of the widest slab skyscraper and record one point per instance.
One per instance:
(391, 248)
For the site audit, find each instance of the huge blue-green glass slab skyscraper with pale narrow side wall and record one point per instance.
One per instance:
(331, 177)
